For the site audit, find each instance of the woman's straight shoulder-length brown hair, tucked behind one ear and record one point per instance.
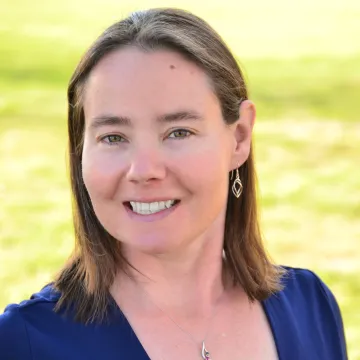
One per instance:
(85, 280)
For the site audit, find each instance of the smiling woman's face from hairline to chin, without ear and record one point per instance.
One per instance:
(157, 152)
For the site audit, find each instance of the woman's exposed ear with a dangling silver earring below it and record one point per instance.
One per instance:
(242, 132)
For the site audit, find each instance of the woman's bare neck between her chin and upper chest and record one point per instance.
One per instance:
(186, 285)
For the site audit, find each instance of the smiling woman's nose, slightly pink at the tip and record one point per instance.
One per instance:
(146, 165)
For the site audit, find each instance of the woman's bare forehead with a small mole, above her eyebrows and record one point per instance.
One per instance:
(131, 80)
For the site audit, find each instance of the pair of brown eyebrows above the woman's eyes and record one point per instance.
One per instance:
(114, 120)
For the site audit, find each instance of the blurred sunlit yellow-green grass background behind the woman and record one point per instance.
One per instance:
(302, 64)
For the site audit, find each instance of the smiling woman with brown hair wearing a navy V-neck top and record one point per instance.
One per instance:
(169, 261)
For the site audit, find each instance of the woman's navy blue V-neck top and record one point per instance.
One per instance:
(304, 318)
